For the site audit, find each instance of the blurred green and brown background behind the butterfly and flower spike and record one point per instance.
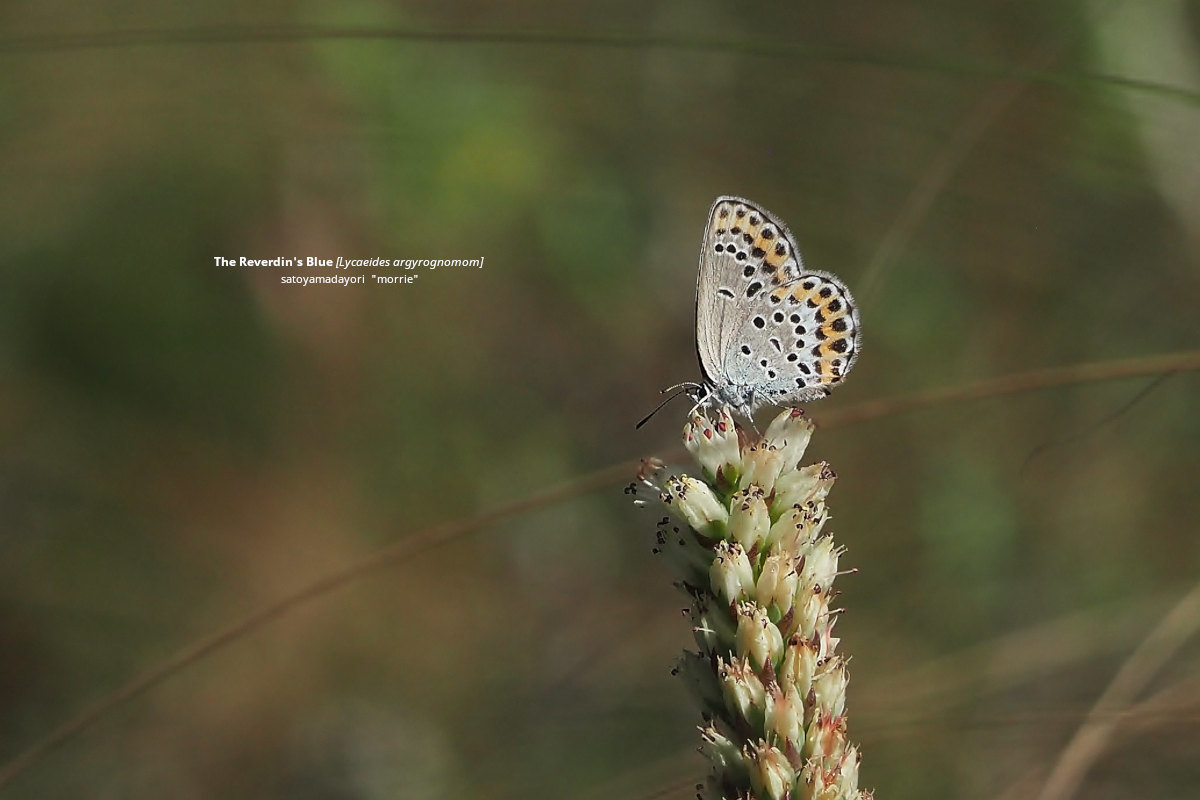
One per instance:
(1006, 185)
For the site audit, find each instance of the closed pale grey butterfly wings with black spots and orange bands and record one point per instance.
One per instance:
(764, 323)
